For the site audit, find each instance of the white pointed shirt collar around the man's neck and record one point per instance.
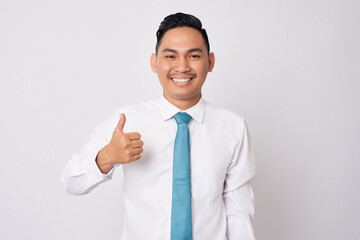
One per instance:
(168, 110)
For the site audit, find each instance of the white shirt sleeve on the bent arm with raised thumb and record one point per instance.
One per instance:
(81, 174)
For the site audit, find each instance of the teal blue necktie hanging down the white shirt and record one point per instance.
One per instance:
(181, 193)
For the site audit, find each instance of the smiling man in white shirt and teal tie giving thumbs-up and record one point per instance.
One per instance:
(191, 179)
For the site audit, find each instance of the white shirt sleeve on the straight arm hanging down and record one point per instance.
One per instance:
(237, 195)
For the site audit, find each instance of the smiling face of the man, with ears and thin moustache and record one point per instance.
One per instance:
(182, 64)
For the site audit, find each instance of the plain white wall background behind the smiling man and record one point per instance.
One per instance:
(292, 68)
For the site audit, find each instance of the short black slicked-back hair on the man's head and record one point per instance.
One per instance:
(180, 20)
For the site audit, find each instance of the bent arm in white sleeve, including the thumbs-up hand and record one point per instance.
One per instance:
(96, 160)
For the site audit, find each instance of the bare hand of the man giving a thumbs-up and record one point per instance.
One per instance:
(123, 148)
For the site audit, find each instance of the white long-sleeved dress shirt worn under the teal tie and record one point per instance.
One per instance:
(221, 163)
